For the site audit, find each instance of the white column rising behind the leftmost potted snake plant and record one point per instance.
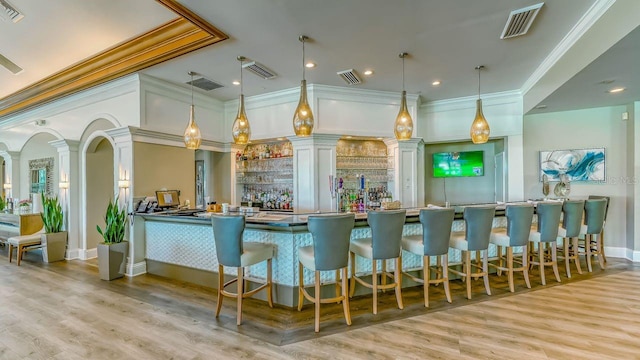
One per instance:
(68, 185)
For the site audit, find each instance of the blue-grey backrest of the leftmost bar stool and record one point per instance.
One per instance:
(227, 231)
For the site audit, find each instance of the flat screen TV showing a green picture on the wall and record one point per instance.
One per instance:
(458, 164)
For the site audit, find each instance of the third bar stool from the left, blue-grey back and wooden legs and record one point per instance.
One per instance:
(384, 243)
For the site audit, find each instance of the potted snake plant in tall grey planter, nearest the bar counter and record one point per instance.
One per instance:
(112, 253)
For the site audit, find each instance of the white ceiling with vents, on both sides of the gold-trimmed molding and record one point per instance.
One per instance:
(445, 40)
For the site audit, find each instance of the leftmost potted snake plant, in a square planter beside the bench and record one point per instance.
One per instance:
(54, 240)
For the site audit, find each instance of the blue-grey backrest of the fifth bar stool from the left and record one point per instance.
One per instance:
(478, 221)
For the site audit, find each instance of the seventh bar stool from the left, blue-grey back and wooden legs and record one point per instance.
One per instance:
(546, 233)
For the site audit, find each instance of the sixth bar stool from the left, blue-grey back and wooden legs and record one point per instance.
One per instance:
(516, 234)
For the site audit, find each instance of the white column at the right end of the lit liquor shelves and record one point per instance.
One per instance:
(408, 167)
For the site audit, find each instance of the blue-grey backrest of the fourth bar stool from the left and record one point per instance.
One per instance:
(436, 230)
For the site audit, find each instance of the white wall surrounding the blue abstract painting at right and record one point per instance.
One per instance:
(580, 129)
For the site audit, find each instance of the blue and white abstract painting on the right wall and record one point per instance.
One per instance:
(578, 165)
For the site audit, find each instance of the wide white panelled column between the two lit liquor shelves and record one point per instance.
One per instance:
(314, 159)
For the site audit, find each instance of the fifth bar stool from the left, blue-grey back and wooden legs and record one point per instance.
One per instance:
(478, 223)
